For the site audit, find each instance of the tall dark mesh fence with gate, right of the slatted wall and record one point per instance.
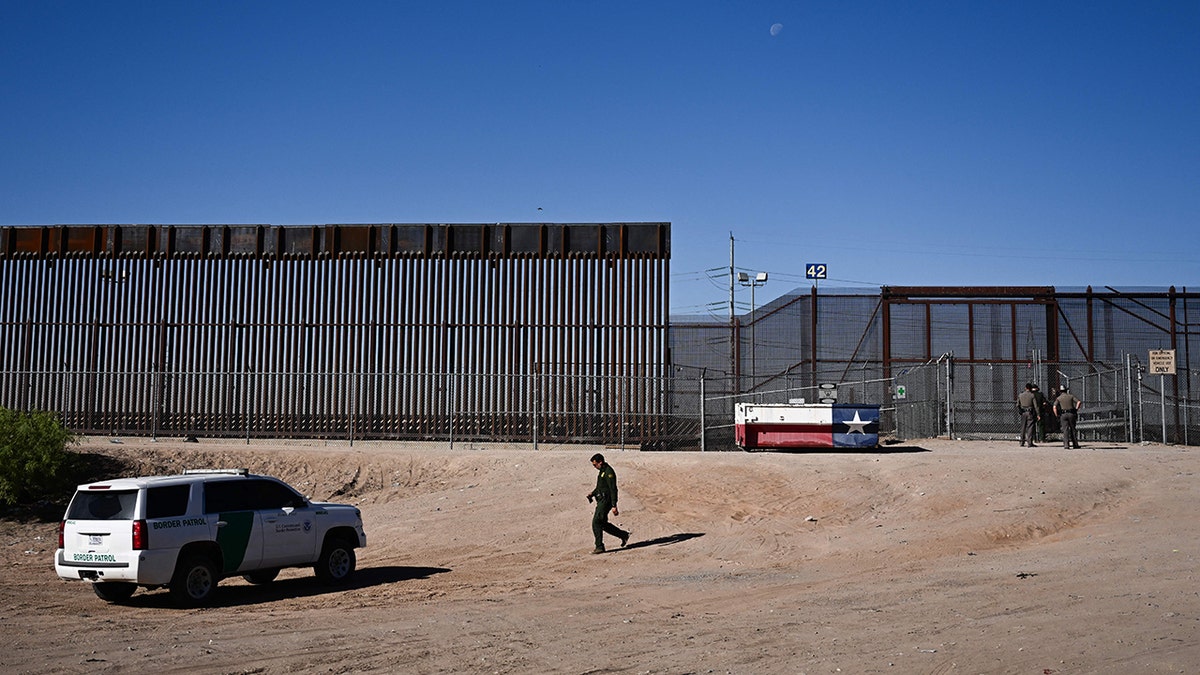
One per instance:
(951, 362)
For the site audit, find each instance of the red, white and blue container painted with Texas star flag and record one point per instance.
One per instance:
(807, 426)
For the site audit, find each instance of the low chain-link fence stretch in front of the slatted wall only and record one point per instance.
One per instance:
(398, 407)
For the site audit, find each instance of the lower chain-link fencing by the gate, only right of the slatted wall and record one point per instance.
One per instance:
(946, 398)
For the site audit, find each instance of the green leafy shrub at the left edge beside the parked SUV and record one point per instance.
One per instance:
(34, 462)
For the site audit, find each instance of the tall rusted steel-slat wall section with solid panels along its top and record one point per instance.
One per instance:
(376, 331)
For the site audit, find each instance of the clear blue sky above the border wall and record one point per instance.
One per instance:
(958, 144)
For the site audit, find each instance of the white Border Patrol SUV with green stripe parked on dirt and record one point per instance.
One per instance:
(189, 531)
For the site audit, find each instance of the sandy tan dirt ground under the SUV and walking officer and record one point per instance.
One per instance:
(937, 557)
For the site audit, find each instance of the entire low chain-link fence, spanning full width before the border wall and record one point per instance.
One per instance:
(691, 411)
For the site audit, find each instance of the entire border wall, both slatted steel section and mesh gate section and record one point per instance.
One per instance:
(537, 333)
